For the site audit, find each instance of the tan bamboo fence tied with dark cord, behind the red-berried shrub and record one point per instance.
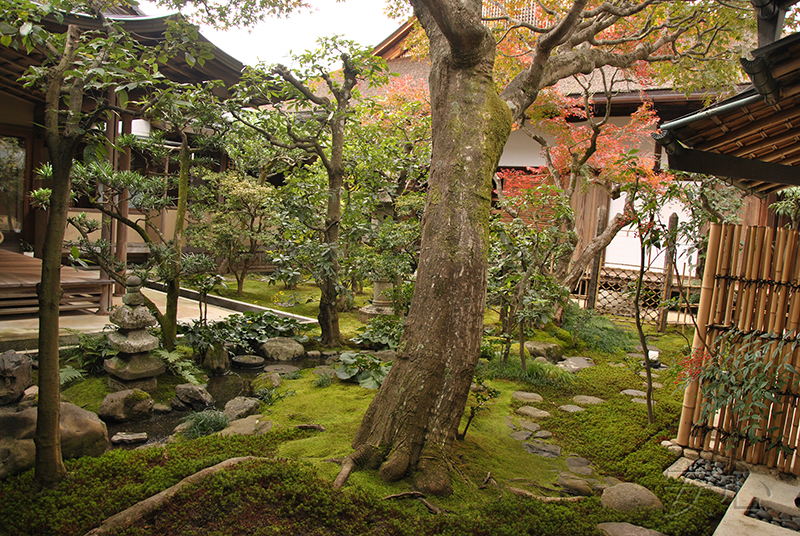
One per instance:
(751, 286)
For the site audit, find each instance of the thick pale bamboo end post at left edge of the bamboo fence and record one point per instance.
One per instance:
(698, 344)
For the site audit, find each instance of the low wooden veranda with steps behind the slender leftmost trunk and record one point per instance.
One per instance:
(19, 275)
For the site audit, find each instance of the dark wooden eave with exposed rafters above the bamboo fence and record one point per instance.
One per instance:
(752, 138)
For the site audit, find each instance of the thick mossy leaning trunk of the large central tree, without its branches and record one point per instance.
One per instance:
(412, 422)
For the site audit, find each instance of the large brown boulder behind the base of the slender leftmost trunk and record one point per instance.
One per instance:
(82, 434)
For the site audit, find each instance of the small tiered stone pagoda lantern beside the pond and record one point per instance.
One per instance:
(133, 367)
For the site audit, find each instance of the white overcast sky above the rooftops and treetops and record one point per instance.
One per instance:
(362, 21)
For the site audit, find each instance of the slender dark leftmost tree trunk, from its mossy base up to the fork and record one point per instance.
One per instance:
(49, 467)
